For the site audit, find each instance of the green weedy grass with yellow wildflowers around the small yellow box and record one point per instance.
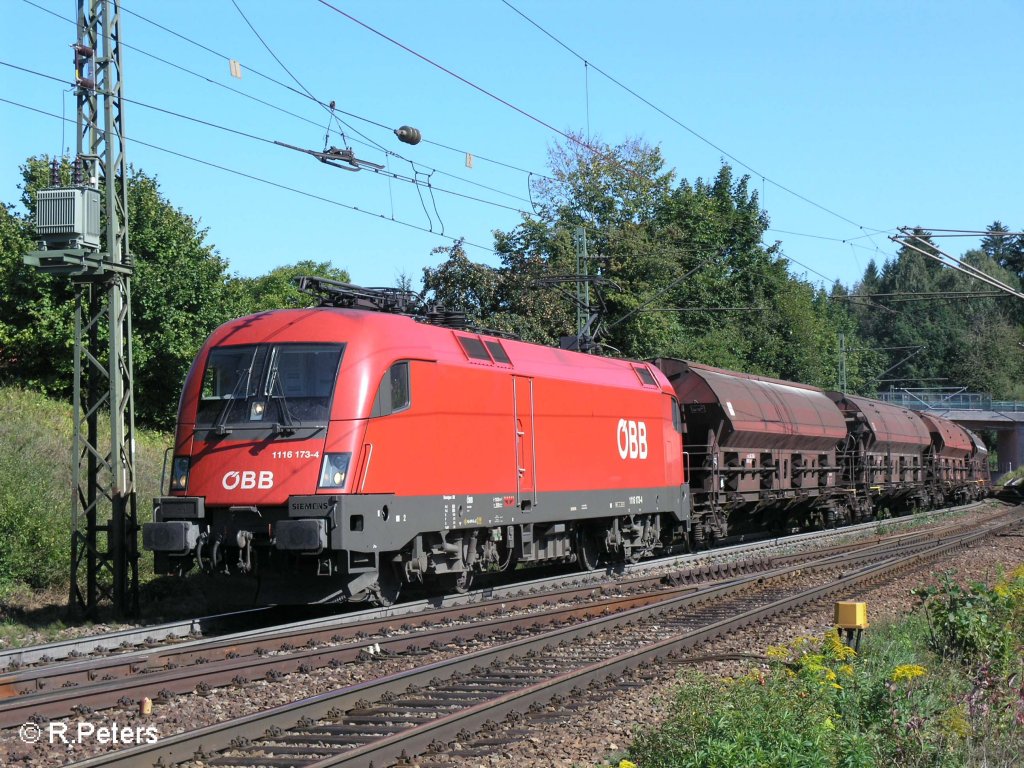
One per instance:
(941, 689)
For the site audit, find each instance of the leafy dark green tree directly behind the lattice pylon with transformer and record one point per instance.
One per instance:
(180, 293)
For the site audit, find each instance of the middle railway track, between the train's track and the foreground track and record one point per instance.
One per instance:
(86, 687)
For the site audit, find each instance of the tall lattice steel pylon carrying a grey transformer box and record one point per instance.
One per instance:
(105, 528)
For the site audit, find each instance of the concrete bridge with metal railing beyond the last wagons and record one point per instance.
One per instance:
(974, 411)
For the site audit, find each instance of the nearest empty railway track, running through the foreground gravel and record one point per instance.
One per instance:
(462, 700)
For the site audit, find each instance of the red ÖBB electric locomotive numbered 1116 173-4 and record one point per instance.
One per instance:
(338, 453)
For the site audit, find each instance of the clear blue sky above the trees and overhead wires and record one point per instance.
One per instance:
(854, 118)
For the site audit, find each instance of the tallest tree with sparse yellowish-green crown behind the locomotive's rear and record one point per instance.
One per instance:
(615, 196)
